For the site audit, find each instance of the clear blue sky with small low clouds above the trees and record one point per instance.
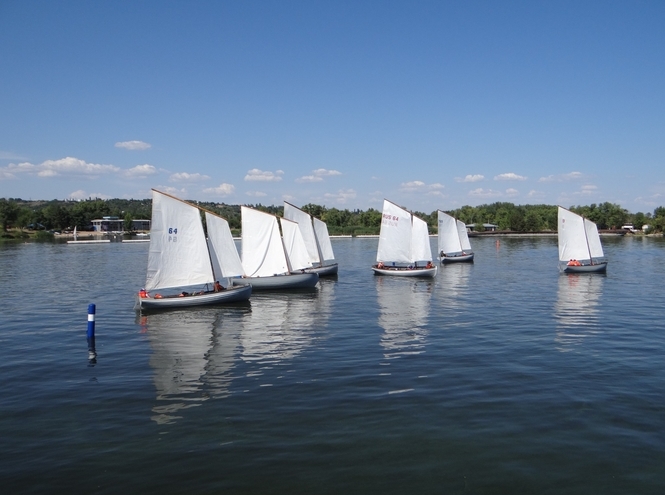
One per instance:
(430, 104)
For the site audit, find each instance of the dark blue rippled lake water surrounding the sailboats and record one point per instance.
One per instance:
(501, 376)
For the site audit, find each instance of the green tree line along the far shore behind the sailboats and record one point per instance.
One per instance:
(65, 215)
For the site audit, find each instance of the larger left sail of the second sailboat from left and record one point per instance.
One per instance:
(262, 250)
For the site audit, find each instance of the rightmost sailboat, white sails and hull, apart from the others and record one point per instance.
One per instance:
(580, 249)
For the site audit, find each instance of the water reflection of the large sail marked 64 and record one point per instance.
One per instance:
(180, 341)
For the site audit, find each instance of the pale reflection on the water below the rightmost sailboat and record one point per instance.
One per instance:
(577, 307)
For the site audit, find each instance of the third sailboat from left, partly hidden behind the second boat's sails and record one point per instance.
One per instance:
(317, 240)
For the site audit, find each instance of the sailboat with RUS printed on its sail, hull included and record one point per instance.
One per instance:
(403, 243)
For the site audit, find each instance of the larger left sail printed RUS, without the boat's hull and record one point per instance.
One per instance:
(395, 235)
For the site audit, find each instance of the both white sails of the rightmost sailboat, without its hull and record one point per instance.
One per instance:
(573, 232)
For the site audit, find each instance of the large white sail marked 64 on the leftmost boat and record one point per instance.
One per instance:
(178, 255)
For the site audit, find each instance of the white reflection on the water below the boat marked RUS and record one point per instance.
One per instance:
(404, 305)
